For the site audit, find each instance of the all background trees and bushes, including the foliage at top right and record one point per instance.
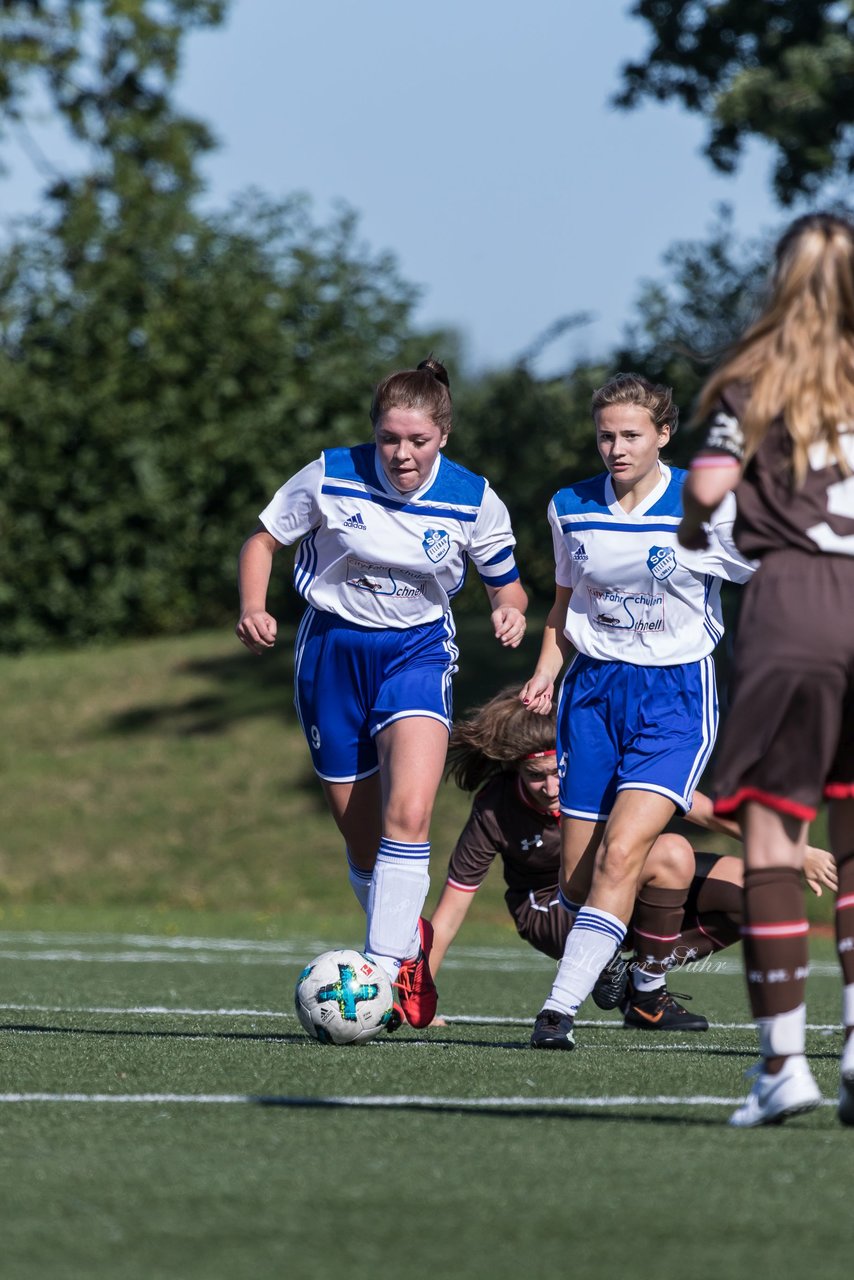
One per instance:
(163, 372)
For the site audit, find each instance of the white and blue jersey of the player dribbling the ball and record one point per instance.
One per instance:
(385, 559)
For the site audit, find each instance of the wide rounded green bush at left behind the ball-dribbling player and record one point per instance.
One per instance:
(149, 410)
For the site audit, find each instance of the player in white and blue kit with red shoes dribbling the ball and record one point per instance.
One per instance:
(386, 533)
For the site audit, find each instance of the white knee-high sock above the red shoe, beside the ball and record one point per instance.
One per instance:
(399, 890)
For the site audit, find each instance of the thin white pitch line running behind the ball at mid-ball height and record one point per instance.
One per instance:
(453, 1020)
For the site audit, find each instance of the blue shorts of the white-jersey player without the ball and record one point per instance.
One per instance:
(627, 728)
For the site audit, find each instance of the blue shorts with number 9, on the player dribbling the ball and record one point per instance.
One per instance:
(351, 682)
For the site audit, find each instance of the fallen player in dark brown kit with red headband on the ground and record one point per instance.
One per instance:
(508, 757)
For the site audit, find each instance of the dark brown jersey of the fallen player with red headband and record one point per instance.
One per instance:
(505, 825)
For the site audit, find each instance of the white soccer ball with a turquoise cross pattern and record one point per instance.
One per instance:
(342, 998)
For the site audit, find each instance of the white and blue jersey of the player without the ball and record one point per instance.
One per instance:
(637, 595)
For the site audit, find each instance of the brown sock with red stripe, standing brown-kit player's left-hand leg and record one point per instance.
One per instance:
(775, 935)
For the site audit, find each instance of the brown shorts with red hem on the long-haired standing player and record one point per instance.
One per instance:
(789, 735)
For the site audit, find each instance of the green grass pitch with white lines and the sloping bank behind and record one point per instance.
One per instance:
(167, 867)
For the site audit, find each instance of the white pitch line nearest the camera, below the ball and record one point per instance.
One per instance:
(405, 1100)
